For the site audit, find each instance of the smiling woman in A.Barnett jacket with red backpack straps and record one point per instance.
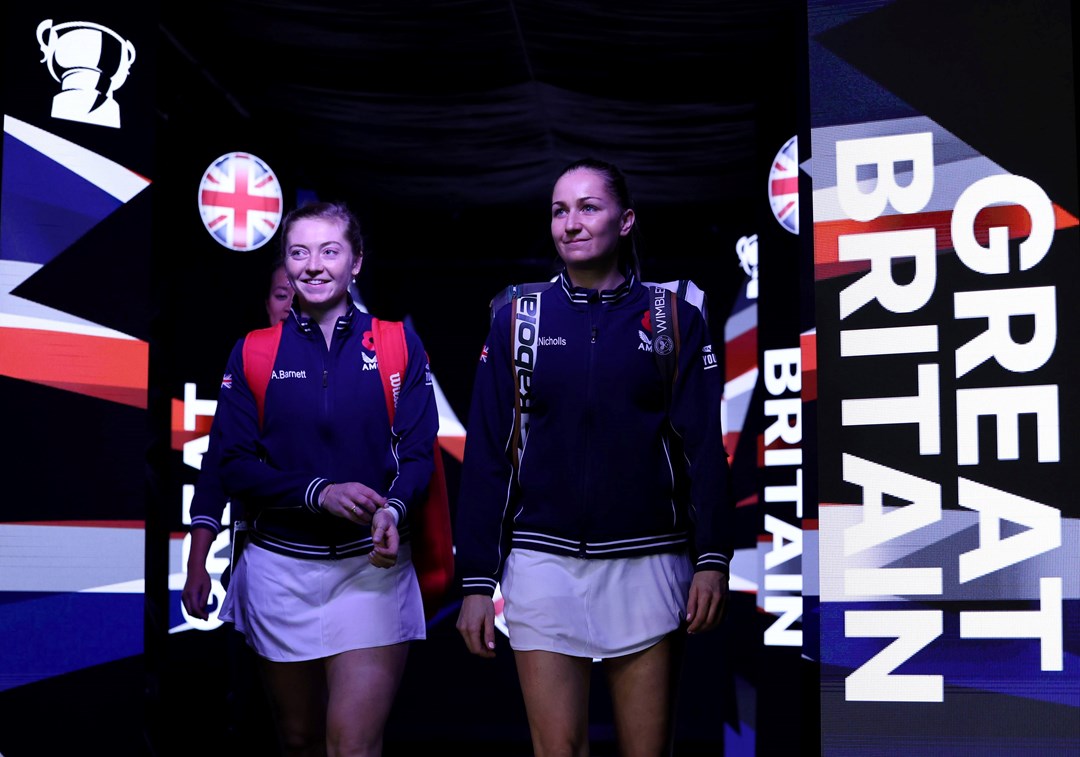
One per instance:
(326, 592)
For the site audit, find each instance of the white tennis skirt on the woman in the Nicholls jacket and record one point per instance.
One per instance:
(593, 609)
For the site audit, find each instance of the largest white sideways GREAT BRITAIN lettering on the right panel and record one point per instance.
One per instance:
(984, 414)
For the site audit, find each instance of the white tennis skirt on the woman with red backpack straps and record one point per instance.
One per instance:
(292, 610)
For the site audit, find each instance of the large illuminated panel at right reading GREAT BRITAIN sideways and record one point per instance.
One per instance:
(947, 280)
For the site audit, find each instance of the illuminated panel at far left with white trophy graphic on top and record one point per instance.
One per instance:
(75, 261)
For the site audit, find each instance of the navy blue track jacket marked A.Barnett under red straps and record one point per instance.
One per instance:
(325, 422)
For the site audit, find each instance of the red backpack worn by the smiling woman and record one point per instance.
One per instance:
(433, 535)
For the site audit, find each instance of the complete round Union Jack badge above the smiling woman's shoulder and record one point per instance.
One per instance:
(240, 201)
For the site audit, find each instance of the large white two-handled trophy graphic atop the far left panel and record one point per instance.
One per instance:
(91, 62)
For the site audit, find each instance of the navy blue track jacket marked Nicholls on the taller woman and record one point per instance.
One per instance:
(603, 474)
